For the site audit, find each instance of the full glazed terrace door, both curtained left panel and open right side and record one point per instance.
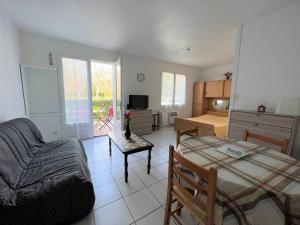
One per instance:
(91, 97)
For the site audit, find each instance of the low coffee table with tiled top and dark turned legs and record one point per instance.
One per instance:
(133, 145)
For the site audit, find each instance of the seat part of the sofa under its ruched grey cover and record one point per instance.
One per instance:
(64, 158)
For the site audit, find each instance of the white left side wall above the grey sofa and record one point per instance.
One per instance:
(11, 96)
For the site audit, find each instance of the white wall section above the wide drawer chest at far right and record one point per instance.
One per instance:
(269, 60)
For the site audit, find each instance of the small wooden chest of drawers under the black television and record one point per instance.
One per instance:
(141, 121)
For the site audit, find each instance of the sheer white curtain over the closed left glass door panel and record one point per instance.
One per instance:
(77, 107)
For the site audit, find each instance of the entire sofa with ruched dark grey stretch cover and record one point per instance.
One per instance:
(41, 183)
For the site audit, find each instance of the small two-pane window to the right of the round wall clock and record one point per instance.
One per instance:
(173, 89)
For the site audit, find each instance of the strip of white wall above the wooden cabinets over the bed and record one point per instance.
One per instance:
(215, 73)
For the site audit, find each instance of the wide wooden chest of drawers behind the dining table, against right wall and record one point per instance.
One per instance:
(267, 124)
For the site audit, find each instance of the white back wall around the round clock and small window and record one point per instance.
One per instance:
(132, 65)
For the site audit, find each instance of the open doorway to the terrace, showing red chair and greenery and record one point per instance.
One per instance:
(106, 96)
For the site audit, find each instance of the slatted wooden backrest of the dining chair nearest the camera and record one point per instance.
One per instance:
(199, 208)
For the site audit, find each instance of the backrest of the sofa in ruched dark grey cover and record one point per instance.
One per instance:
(20, 139)
